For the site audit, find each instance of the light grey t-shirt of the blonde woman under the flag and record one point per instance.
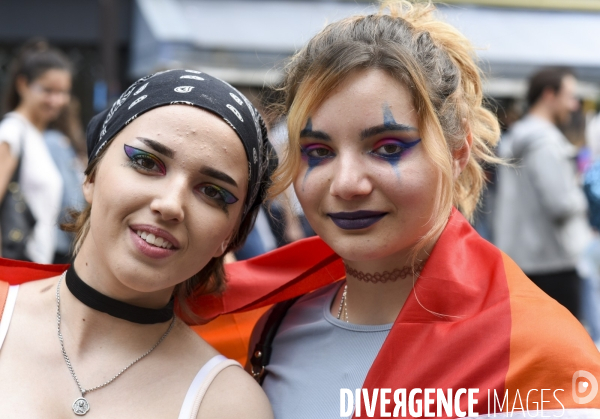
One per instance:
(315, 355)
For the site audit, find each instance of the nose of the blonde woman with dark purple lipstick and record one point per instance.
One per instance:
(350, 178)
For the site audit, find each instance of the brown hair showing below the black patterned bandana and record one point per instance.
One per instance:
(211, 279)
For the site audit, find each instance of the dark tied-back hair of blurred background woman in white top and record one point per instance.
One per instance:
(34, 58)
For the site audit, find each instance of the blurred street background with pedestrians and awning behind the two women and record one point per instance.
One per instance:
(62, 61)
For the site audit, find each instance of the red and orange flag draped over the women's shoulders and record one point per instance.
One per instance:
(473, 321)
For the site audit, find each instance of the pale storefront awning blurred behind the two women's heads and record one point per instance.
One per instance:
(244, 42)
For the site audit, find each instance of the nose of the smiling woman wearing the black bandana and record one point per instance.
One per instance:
(169, 200)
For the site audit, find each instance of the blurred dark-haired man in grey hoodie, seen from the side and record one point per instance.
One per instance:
(540, 218)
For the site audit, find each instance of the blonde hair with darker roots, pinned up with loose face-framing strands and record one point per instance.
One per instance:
(433, 60)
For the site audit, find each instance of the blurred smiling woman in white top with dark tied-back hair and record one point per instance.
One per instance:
(39, 89)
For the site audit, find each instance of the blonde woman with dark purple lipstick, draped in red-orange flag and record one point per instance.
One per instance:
(387, 138)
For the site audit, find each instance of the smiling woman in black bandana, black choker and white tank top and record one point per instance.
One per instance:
(178, 168)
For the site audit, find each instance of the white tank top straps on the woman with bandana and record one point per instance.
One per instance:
(197, 390)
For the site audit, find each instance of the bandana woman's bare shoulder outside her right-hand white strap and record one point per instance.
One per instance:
(234, 394)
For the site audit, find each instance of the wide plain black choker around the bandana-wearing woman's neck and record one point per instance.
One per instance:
(93, 299)
